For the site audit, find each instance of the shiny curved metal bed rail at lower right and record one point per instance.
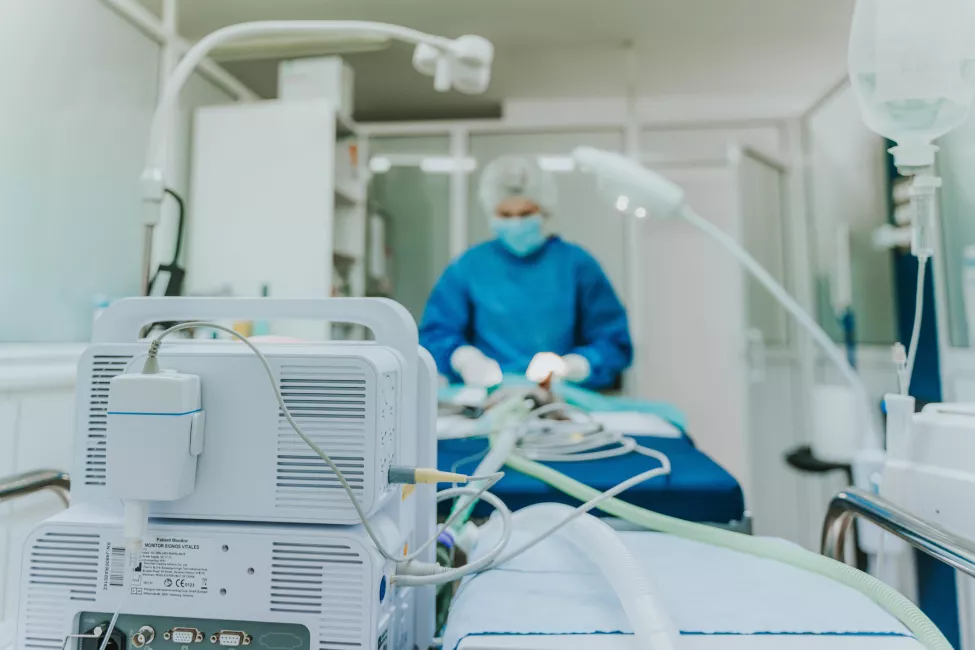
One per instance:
(952, 549)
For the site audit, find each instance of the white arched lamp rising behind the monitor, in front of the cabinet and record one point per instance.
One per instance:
(463, 63)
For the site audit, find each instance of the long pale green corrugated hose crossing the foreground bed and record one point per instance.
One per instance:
(888, 598)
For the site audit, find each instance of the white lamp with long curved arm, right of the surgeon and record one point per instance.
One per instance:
(640, 191)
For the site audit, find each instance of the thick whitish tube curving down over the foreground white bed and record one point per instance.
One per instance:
(652, 626)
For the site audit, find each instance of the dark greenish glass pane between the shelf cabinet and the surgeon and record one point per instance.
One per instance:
(416, 206)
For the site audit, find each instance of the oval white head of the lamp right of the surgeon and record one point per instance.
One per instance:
(632, 188)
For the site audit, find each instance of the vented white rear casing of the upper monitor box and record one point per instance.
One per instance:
(254, 467)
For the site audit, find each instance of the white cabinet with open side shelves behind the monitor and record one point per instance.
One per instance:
(279, 199)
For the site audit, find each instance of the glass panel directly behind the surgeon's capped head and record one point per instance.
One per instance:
(582, 215)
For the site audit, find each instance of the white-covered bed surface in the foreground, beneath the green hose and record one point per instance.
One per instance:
(553, 599)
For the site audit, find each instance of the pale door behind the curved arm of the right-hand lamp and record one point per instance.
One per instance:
(717, 344)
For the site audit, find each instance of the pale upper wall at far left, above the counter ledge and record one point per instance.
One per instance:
(79, 87)
